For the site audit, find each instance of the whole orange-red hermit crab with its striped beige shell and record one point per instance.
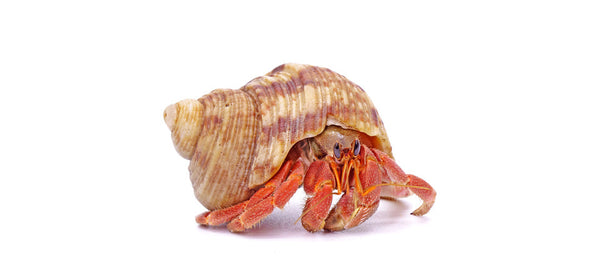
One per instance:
(250, 149)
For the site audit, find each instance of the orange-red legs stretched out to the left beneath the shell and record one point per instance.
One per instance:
(276, 193)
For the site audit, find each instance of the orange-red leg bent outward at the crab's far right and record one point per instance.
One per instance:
(416, 185)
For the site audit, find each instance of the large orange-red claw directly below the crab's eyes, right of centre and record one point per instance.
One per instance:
(360, 202)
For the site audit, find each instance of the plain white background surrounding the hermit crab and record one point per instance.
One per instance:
(493, 103)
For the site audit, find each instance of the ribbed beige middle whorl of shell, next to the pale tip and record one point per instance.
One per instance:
(225, 150)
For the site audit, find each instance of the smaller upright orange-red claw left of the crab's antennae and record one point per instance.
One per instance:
(318, 183)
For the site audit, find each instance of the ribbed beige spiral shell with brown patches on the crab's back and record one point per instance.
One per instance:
(237, 139)
